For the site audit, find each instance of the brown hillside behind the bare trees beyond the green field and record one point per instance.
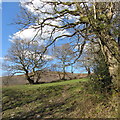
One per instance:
(48, 76)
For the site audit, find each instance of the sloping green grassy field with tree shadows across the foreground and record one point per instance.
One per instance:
(67, 99)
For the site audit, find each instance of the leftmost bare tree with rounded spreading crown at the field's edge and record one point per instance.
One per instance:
(27, 58)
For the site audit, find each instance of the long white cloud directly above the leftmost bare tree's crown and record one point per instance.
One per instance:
(31, 33)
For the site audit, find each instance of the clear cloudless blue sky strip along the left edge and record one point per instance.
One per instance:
(9, 12)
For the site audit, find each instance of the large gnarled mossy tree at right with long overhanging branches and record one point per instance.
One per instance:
(95, 19)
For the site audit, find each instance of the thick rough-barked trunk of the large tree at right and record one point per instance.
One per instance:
(112, 55)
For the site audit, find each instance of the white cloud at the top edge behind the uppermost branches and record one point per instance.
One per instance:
(39, 7)
